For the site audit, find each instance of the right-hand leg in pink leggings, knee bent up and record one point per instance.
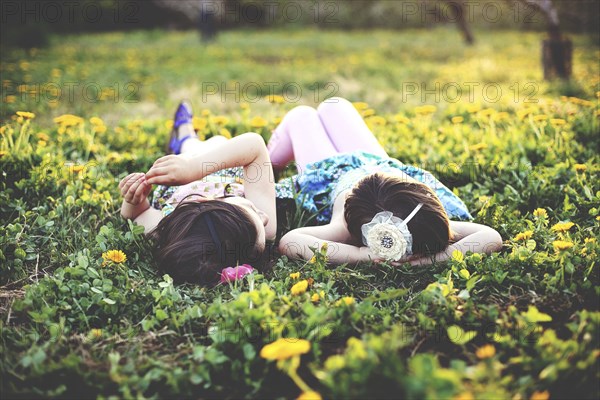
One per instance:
(346, 128)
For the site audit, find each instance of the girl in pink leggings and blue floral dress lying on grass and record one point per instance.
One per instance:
(371, 206)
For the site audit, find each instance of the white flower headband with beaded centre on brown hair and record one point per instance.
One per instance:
(388, 236)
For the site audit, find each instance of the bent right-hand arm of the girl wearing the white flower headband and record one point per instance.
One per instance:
(470, 236)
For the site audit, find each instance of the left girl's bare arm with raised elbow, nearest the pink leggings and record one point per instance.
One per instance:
(247, 150)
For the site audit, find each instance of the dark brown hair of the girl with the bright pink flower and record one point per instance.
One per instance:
(186, 249)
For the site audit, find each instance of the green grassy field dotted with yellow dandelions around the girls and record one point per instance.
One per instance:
(522, 153)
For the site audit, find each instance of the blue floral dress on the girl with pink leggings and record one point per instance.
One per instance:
(321, 182)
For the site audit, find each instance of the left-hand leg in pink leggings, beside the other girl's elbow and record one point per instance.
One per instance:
(300, 136)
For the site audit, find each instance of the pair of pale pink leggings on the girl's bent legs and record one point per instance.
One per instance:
(307, 135)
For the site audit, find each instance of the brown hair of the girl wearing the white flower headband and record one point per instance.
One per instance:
(378, 192)
